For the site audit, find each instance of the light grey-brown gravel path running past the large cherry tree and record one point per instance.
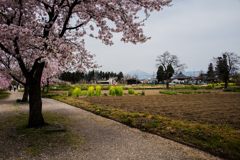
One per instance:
(105, 139)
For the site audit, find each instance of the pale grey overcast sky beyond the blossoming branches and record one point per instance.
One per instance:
(194, 30)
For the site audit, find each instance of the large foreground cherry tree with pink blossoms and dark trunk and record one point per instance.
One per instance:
(36, 32)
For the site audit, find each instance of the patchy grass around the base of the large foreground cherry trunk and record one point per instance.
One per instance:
(31, 142)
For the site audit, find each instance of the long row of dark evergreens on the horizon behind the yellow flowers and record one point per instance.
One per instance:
(91, 76)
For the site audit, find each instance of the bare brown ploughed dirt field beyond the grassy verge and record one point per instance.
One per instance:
(220, 109)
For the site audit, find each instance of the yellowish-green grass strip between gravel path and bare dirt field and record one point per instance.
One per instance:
(222, 141)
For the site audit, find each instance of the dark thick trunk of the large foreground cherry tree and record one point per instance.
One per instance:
(35, 102)
